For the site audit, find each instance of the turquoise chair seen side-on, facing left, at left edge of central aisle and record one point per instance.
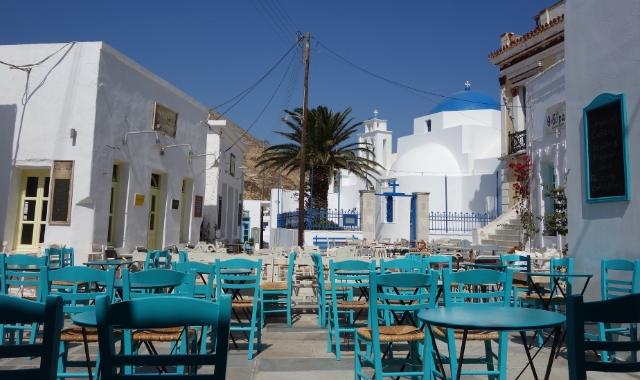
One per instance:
(276, 296)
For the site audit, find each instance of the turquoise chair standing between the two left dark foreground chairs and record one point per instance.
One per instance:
(79, 293)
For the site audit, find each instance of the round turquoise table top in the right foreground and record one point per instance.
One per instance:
(495, 318)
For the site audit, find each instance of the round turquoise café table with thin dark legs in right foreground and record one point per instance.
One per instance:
(493, 318)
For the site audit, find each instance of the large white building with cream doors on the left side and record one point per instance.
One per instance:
(79, 164)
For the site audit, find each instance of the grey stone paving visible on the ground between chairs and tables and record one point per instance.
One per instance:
(300, 352)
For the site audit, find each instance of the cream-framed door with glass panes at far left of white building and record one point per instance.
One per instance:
(32, 209)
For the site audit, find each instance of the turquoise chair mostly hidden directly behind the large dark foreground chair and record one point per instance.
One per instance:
(159, 283)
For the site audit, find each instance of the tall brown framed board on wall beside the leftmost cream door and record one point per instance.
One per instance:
(61, 187)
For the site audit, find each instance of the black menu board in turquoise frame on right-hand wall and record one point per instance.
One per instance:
(606, 153)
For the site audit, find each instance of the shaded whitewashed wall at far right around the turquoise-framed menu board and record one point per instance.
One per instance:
(602, 55)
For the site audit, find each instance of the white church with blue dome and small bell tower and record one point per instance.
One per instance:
(453, 154)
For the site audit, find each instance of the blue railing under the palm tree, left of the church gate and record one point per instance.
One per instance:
(321, 219)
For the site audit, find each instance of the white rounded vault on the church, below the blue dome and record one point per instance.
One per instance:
(425, 159)
